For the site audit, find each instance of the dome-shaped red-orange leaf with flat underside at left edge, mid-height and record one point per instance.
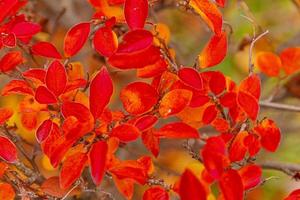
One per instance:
(18, 87)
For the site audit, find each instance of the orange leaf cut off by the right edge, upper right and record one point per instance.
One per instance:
(290, 59)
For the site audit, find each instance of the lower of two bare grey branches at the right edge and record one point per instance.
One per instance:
(290, 169)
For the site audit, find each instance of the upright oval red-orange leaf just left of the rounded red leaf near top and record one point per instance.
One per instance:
(76, 38)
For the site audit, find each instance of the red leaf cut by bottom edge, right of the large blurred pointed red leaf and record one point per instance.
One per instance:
(231, 185)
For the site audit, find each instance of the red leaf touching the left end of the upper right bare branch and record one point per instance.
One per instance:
(249, 104)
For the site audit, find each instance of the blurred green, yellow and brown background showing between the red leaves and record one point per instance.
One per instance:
(189, 34)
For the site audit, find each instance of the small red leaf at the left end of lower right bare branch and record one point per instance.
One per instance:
(251, 176)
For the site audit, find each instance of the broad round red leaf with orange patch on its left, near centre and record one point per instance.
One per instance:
(138, 97)
